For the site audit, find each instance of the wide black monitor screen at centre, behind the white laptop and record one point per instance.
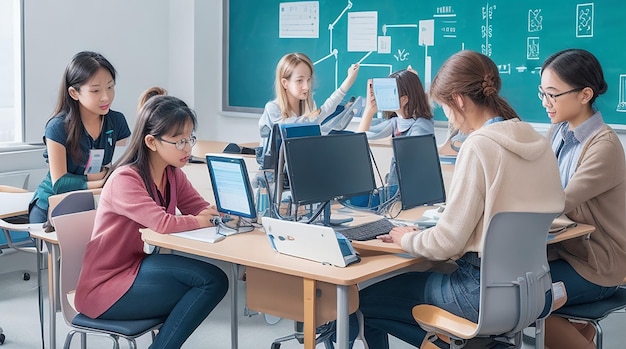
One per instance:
(323, 168)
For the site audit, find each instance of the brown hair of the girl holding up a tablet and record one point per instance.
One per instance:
(409, 85)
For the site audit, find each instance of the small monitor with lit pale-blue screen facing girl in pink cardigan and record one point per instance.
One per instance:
(233, 193)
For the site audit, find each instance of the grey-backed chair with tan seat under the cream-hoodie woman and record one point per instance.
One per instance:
(515, 284)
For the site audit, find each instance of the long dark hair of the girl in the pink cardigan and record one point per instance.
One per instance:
(159, 116)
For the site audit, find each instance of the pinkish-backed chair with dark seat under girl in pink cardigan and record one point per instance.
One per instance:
(73, 233)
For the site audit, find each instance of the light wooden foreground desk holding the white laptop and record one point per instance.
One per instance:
(253, 250)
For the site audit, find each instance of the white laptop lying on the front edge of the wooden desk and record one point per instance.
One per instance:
(314, 242)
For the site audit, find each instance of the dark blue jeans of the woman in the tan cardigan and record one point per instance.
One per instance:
(579, 290)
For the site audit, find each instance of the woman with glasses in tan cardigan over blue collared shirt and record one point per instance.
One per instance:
(593, 174)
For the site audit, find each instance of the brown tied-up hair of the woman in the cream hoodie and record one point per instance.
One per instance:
(472, 74)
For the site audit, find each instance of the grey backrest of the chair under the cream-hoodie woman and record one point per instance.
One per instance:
(515, 275)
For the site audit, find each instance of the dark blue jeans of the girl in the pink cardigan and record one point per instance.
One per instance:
(182, 289)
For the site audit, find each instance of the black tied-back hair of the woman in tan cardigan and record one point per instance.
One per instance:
(578, 68)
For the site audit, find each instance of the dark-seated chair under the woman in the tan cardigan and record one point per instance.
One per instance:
(595, 312)
